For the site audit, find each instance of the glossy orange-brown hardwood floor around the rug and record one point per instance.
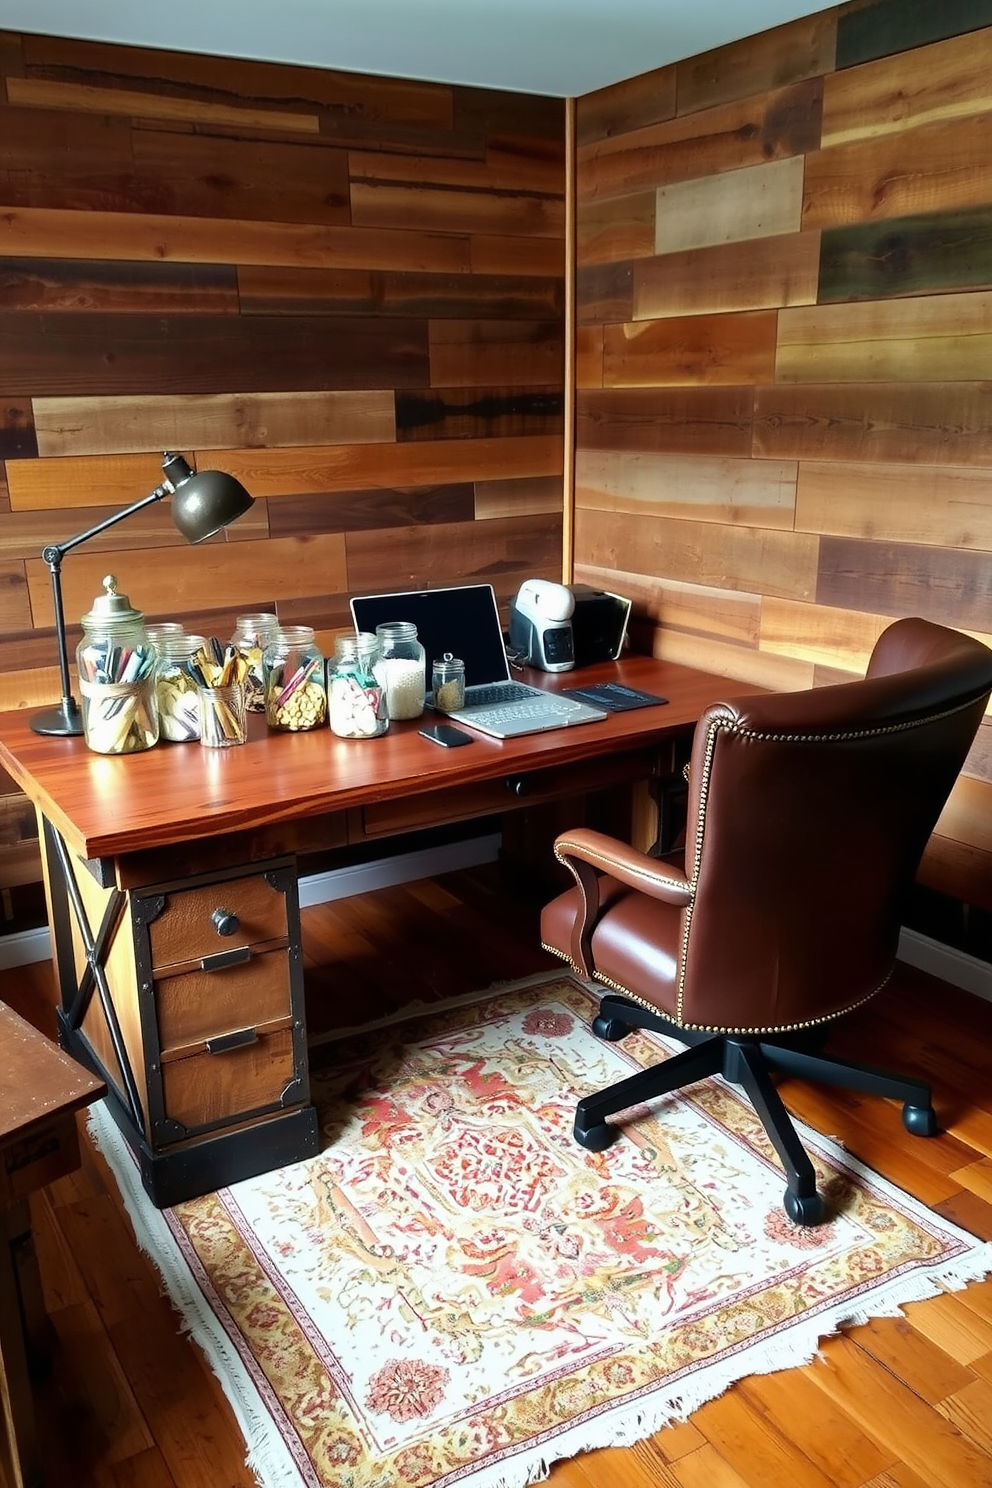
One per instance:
(896, 1404)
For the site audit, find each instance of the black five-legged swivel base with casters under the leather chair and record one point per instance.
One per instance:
(750, 1065)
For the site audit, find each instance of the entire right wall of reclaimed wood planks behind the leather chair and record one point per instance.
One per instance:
(785, 410)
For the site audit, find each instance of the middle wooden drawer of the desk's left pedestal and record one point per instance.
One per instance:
(196, 1005)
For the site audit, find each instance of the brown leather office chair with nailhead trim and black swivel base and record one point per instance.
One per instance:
(808, 816)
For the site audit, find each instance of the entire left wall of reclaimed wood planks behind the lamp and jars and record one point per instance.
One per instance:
(346, 291)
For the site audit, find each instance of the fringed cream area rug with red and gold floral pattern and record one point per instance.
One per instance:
(454, 1292)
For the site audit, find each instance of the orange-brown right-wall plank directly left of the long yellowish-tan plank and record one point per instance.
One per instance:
(691, 350)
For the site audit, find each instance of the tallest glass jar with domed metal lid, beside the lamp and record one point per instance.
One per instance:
(115, 661)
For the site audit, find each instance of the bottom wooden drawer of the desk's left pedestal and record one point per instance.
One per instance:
(210, 1090)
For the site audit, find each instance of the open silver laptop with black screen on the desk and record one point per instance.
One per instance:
(466, 623)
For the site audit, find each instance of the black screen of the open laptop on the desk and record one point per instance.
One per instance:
(463, 621)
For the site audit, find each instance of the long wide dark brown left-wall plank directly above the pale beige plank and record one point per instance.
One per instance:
(77, 353)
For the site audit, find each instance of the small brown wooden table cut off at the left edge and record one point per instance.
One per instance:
(41, 1090)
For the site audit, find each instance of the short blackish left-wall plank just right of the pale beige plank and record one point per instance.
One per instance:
(478, 413)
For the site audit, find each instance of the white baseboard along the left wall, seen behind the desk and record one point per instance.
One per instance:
(318, 889)
